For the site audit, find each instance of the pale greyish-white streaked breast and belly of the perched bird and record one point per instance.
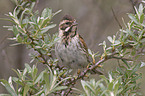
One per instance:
(71, 54)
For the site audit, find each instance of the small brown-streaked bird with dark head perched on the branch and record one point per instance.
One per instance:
(71, 49)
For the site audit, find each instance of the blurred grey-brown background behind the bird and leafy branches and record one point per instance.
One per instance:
(96, 22)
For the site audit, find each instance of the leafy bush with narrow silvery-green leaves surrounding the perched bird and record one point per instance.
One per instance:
(32, 29)
